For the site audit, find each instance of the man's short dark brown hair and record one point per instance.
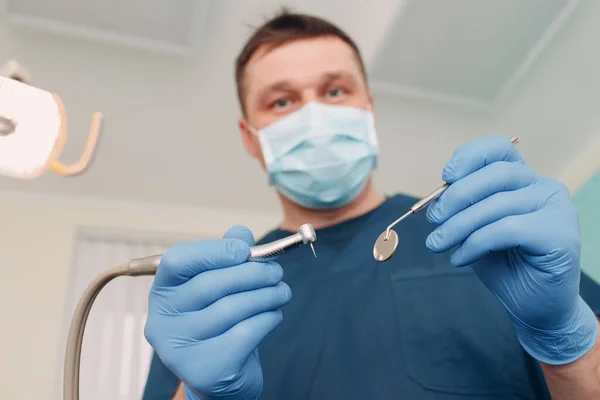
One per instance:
(285, 28)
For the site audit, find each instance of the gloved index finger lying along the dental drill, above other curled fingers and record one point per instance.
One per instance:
(184, 261)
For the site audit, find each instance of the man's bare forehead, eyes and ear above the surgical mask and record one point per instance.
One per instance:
(282, 80)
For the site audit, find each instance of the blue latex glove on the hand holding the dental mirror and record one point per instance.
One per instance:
(520, 233)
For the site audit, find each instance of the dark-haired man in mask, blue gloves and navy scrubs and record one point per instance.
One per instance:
(501, 317)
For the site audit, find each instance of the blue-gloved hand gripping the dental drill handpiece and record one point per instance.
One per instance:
(209, 309)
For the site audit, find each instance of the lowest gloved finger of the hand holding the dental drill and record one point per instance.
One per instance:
(244, 337)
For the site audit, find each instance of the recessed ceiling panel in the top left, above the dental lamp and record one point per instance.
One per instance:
(160, 22)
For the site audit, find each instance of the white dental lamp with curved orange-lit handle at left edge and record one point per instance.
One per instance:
(33, 132)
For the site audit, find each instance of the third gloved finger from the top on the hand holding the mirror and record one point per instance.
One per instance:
(491, 209)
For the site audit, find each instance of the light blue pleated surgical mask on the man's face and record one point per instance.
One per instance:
(320, 156)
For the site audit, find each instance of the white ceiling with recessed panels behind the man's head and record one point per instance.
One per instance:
(163, 76)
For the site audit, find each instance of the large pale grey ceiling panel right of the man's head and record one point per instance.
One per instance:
(464, 49)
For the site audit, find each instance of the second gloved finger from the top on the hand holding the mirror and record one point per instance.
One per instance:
(494, 178)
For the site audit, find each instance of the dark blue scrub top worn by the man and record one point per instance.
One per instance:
(413, 327)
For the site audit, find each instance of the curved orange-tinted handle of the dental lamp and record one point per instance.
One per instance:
(83, 163)
